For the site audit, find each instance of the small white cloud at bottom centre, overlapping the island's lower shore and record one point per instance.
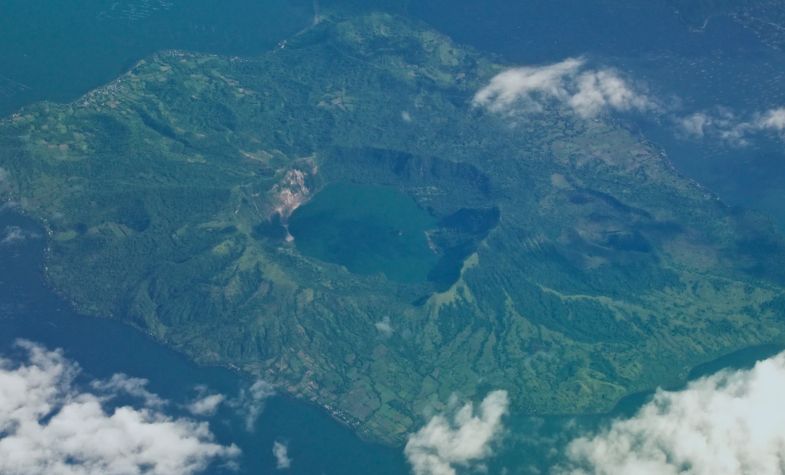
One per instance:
(461, 439)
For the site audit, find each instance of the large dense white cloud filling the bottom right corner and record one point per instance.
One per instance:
(731, 423)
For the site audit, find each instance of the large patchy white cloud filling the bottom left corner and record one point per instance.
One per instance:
(48, 425)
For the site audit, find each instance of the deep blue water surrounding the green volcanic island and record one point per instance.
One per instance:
(60, 50)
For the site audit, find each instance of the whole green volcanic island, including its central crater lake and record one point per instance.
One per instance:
(566, 261)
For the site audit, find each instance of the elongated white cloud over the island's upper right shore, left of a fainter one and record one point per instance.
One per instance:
(587, 92)
